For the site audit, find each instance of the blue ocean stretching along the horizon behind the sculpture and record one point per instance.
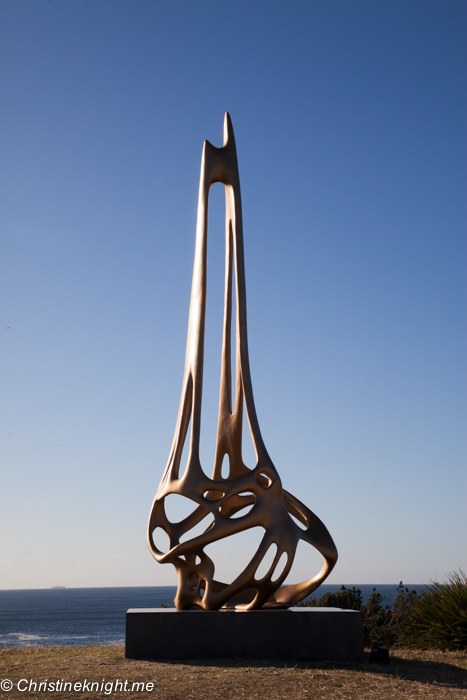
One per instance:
(81, 616)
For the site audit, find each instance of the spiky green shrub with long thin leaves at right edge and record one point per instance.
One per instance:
(439, 618)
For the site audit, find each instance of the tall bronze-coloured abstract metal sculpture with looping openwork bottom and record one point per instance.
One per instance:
(219, 500)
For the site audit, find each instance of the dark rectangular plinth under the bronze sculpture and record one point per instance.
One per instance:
(308, 634)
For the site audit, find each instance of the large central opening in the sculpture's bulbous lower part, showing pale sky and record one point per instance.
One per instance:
(231, 555)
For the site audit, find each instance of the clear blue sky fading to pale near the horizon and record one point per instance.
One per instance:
(350, 126)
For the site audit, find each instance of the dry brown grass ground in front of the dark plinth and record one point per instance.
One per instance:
(411, 674)
